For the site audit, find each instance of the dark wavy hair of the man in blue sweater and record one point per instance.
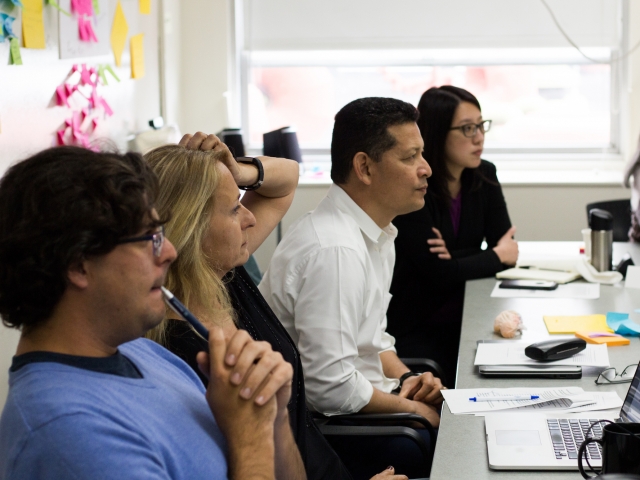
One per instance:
(57, 208)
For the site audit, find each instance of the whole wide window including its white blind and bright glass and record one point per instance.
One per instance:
(543, 96)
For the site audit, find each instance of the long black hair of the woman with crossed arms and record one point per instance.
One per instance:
(437, 108)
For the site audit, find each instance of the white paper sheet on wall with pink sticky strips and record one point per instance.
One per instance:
(69, 38)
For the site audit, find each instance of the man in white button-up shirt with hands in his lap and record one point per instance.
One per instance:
(329, 278)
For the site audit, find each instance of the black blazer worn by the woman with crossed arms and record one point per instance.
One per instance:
(422, 283)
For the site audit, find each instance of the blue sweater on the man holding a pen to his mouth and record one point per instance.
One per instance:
(62, 421)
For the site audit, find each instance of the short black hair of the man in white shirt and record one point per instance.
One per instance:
(362, 126)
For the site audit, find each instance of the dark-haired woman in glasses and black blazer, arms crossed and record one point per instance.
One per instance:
(438, 248)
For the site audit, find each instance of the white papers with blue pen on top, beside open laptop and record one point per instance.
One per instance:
(563, 399)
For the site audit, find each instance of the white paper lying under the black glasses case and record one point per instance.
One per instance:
(513, 354)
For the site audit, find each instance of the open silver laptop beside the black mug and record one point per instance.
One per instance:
(517, 441)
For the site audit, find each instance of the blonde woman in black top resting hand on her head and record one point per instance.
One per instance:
(214, 232)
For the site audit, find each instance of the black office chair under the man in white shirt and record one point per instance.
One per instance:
(348, 433)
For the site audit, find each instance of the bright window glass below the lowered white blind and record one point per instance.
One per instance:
(533, 105)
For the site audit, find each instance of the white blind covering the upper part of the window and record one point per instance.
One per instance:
(436, 24)
